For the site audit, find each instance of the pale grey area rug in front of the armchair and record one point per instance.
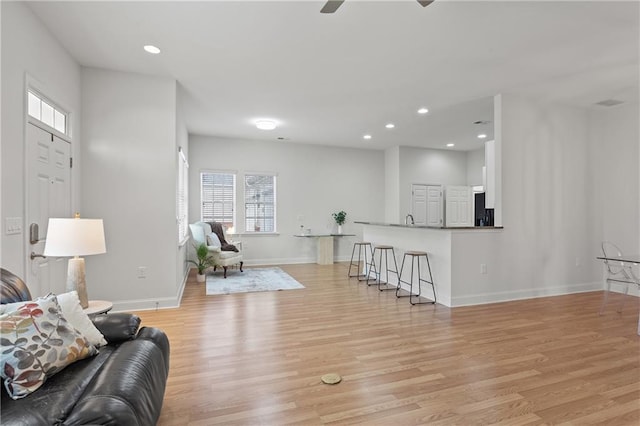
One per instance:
(252, 279)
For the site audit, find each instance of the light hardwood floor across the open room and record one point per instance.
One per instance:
(257, 358)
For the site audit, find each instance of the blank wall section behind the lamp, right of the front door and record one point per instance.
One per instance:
(129, 178)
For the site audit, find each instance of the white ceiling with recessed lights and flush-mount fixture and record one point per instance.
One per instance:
(329, 79)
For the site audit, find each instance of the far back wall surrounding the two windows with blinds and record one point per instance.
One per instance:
(312, 182)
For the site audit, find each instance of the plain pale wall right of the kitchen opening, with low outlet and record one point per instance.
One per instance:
(549, 242)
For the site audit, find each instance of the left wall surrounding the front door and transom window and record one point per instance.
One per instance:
(29, 49)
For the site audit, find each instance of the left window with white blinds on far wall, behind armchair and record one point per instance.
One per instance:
(218, 195)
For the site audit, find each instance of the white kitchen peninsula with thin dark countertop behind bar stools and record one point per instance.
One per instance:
(461, 259)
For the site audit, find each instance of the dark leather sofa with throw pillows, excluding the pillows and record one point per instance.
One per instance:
(122, 385)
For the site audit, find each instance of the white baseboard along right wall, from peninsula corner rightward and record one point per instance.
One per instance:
(506, 296)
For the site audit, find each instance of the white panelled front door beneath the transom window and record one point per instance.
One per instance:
(48, 195)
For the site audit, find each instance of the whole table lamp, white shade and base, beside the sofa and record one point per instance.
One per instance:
(75, 237)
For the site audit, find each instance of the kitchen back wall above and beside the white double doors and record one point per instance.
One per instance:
(428, 166)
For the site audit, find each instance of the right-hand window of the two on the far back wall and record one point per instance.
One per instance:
(260, 203)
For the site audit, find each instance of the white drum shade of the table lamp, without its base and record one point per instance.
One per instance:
(74, 237)
